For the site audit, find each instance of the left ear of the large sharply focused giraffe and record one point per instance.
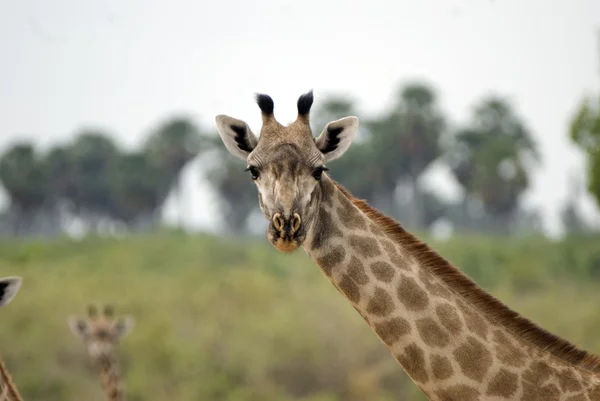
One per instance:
(236, 135)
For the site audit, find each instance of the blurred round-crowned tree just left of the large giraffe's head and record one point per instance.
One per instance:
(171, 147)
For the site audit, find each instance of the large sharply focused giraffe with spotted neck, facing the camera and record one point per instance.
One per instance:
(455, 341)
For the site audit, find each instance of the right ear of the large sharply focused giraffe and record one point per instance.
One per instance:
(337, 137)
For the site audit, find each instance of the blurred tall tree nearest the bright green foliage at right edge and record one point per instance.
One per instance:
(489, 160)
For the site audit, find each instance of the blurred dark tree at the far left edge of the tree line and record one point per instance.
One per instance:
(25, 182)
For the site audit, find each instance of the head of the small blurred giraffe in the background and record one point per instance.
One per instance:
(101, 332)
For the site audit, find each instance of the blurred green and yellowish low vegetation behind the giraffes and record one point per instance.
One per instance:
(239, 321)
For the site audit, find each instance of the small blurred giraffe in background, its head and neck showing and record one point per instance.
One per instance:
(101, 334)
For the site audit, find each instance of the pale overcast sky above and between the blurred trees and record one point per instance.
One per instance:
(124, 65)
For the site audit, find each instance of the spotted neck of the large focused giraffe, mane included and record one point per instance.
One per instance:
(455, 341)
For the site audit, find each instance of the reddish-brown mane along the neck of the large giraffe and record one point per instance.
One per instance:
(462, 285)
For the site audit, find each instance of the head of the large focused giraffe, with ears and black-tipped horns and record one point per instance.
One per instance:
(286, 164)
